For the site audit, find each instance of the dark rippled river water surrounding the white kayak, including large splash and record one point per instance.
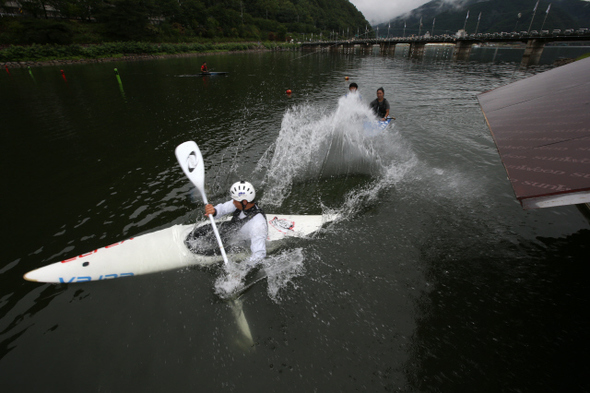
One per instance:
(433, 279)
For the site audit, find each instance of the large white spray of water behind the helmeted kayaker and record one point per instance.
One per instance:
(317, 143)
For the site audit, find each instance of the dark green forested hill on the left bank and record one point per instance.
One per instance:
(89, 21)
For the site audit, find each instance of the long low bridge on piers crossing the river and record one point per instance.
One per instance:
(535, 43)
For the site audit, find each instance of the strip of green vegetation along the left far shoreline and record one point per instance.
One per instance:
(40, 55)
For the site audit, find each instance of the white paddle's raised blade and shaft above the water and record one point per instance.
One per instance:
(191, 161)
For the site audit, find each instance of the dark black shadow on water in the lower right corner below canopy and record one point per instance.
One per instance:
(509, 320)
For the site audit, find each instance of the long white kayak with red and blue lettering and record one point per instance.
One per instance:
(159, 251)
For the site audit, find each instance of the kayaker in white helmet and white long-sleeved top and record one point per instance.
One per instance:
(248, 223)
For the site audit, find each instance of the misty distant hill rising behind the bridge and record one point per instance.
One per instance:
(496, 16)
